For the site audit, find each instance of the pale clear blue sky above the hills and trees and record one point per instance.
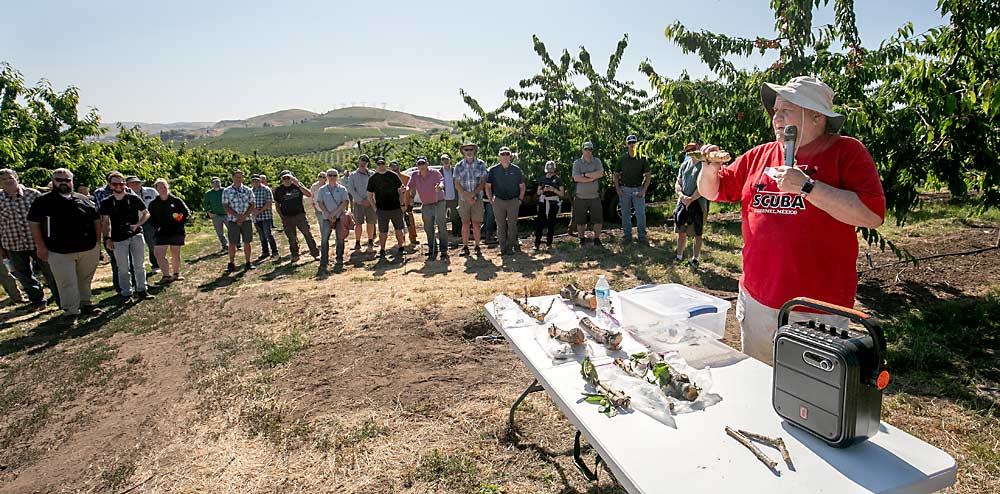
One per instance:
(208, 60)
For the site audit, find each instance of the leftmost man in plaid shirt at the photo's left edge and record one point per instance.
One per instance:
(16, 240)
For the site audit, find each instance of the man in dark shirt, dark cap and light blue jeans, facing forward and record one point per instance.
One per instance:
(631, 179)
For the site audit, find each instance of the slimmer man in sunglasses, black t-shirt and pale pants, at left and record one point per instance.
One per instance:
(123, 216)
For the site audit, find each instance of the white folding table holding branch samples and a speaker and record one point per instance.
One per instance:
(647, 456)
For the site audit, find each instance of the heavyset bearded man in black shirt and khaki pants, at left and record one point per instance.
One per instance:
(65, 227)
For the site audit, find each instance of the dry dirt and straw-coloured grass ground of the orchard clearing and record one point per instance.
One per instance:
(370, 380)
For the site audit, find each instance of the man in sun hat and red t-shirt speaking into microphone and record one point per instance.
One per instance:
(798, 222)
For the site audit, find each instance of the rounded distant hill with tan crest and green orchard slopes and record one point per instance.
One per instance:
(317, 133)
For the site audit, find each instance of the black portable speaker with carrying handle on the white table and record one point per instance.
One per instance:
(827, 380)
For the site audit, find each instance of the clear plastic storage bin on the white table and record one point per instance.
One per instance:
(650, 305)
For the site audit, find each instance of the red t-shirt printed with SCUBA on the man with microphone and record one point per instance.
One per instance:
(791, 248)
